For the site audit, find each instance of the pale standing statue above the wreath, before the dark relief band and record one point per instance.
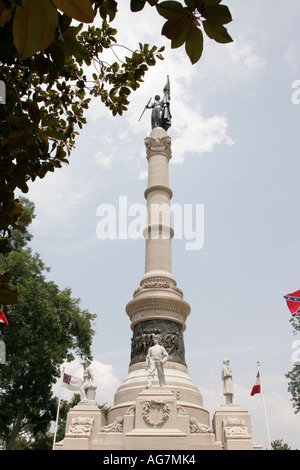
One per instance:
(155, 360)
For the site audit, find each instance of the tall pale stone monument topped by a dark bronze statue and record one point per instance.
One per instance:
(158, 406)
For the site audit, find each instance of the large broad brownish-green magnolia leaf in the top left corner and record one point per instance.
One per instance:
(34, 26)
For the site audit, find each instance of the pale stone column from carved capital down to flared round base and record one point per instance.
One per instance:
(157, 306)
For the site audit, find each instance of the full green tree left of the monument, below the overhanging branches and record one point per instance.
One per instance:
(46, 327)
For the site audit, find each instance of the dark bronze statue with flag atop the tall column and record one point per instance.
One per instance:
(161, 114)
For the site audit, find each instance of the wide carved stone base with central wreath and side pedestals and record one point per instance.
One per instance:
(157, 421)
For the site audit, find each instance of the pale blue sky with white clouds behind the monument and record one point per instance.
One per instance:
(236, 153)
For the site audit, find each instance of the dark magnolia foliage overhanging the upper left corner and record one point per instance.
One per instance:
(42, 63)
